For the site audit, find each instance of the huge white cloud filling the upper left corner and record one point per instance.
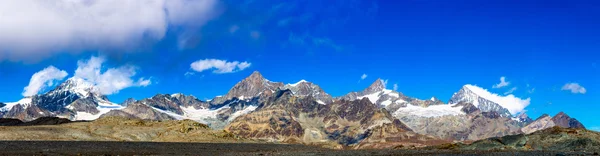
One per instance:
(32, 29)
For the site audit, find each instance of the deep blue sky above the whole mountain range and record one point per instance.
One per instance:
(427, 48)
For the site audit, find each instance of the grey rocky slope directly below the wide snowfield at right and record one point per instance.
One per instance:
(470, 124)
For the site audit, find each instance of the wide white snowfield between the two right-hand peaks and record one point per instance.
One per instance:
(431, 111)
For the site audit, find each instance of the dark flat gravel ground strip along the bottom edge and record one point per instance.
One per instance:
(155, 148)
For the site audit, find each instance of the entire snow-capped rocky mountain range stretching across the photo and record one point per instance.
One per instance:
(303, 112)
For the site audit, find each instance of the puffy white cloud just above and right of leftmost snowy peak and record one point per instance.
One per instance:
(110, 81)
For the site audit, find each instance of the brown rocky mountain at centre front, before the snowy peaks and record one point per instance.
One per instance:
(289, 118)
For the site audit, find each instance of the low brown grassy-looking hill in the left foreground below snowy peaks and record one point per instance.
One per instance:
(119, 129)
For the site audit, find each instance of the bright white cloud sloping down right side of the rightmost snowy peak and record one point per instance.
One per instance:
(514, 104)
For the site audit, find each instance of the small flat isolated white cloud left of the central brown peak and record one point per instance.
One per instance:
(219, 66)
